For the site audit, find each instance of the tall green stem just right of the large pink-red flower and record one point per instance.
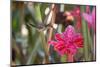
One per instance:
(85, 35)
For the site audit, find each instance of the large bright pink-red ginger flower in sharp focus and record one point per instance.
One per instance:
(68, 42)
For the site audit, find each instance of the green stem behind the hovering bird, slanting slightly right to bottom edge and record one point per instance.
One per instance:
(38, 18)
